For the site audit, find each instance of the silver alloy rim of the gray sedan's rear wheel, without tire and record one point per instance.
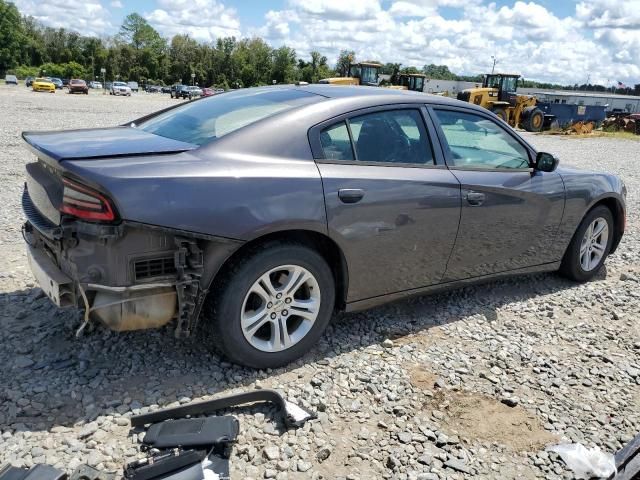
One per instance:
(280, 308)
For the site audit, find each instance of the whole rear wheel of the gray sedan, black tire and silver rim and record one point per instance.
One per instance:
(271, 307)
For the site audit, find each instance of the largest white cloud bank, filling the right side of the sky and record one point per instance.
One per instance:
(526, 37)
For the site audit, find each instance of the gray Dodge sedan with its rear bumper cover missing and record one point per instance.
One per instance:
(254, 214)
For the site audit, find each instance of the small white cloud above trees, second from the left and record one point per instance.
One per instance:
(204, 20)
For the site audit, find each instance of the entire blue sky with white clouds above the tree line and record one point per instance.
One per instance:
(551, 40)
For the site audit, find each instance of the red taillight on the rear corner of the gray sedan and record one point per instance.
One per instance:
(85, 203)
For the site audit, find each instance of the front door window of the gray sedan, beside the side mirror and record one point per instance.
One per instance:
(477, 142)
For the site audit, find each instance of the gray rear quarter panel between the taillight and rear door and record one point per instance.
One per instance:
(236, 196)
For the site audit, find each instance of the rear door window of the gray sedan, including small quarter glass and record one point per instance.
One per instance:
(389, 136)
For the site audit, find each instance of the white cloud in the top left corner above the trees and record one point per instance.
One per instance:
(87, 17)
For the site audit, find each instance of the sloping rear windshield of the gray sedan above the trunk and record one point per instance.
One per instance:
(204, 120)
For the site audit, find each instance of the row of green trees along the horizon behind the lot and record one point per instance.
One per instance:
(138, 52)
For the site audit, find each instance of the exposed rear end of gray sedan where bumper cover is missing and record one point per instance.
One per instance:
(128, 276)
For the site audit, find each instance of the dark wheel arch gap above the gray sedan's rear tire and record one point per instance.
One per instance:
(319, 242)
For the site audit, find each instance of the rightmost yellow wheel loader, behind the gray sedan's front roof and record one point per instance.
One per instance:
(499, 94)
